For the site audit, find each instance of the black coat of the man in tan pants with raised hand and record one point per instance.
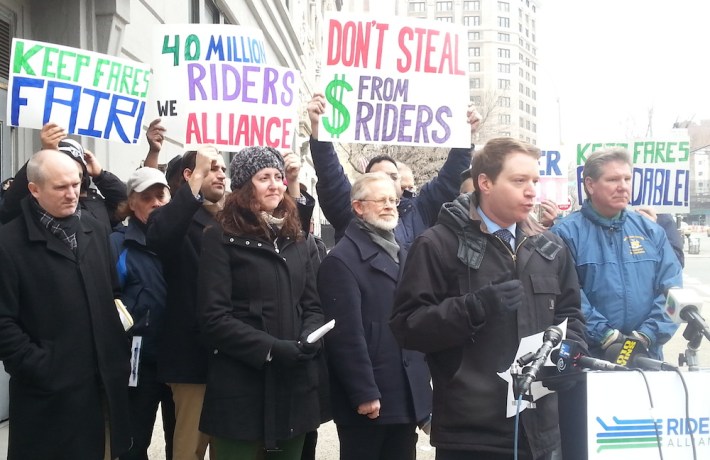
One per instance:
(175, 234)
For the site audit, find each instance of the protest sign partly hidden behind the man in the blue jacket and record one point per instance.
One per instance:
(660, 173)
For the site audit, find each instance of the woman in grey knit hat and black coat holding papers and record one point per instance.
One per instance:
(258, 303)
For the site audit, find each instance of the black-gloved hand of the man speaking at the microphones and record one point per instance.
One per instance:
(505, 297)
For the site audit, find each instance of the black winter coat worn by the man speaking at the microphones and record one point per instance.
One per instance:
(459, 256)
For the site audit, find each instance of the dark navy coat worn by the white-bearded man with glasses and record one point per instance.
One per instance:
(356, 284)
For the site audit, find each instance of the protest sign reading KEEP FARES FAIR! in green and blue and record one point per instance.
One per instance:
(86, 93)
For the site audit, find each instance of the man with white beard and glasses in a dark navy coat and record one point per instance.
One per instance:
(379, 392)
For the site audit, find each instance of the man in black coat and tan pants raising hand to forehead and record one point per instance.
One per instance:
(175, 234)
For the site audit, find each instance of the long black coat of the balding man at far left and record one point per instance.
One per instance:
(62, 342)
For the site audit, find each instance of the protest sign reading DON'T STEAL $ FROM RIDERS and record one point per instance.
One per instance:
(395, 81)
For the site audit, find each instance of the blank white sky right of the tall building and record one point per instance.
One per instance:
(610, 62)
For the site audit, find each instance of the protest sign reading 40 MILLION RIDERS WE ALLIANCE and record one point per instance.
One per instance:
(214, 84)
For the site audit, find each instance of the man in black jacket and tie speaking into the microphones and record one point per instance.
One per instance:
(484, 277)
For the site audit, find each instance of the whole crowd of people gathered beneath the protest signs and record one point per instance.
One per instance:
(225, 284)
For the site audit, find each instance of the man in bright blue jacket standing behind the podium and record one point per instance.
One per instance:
(624, 261)
